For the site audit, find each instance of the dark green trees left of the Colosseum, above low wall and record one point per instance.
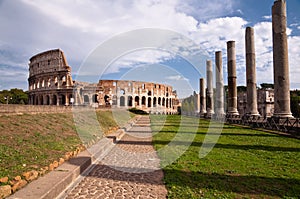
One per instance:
(14, 96)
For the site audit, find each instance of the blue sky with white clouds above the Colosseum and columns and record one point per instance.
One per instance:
(166, 41)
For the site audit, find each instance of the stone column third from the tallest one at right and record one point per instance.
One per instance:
(232, 89)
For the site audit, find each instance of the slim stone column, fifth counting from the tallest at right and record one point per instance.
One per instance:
(210, 89)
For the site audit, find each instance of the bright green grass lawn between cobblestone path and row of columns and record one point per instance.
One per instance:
(244, 163)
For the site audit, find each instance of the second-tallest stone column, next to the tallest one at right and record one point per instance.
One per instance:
(251, 73)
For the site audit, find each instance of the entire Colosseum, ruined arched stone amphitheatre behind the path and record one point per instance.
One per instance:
(50, 83)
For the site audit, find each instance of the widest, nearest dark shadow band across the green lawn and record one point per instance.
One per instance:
(256, 185)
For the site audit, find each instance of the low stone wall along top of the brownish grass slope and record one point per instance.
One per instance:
(12, 109)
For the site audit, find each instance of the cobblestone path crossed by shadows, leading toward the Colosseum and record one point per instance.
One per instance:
(130, 170)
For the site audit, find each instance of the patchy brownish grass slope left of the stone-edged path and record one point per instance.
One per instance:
(33, 141)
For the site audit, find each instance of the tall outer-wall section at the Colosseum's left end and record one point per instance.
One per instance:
(50, 81)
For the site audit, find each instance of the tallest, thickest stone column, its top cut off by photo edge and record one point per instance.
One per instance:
(280, 61)
